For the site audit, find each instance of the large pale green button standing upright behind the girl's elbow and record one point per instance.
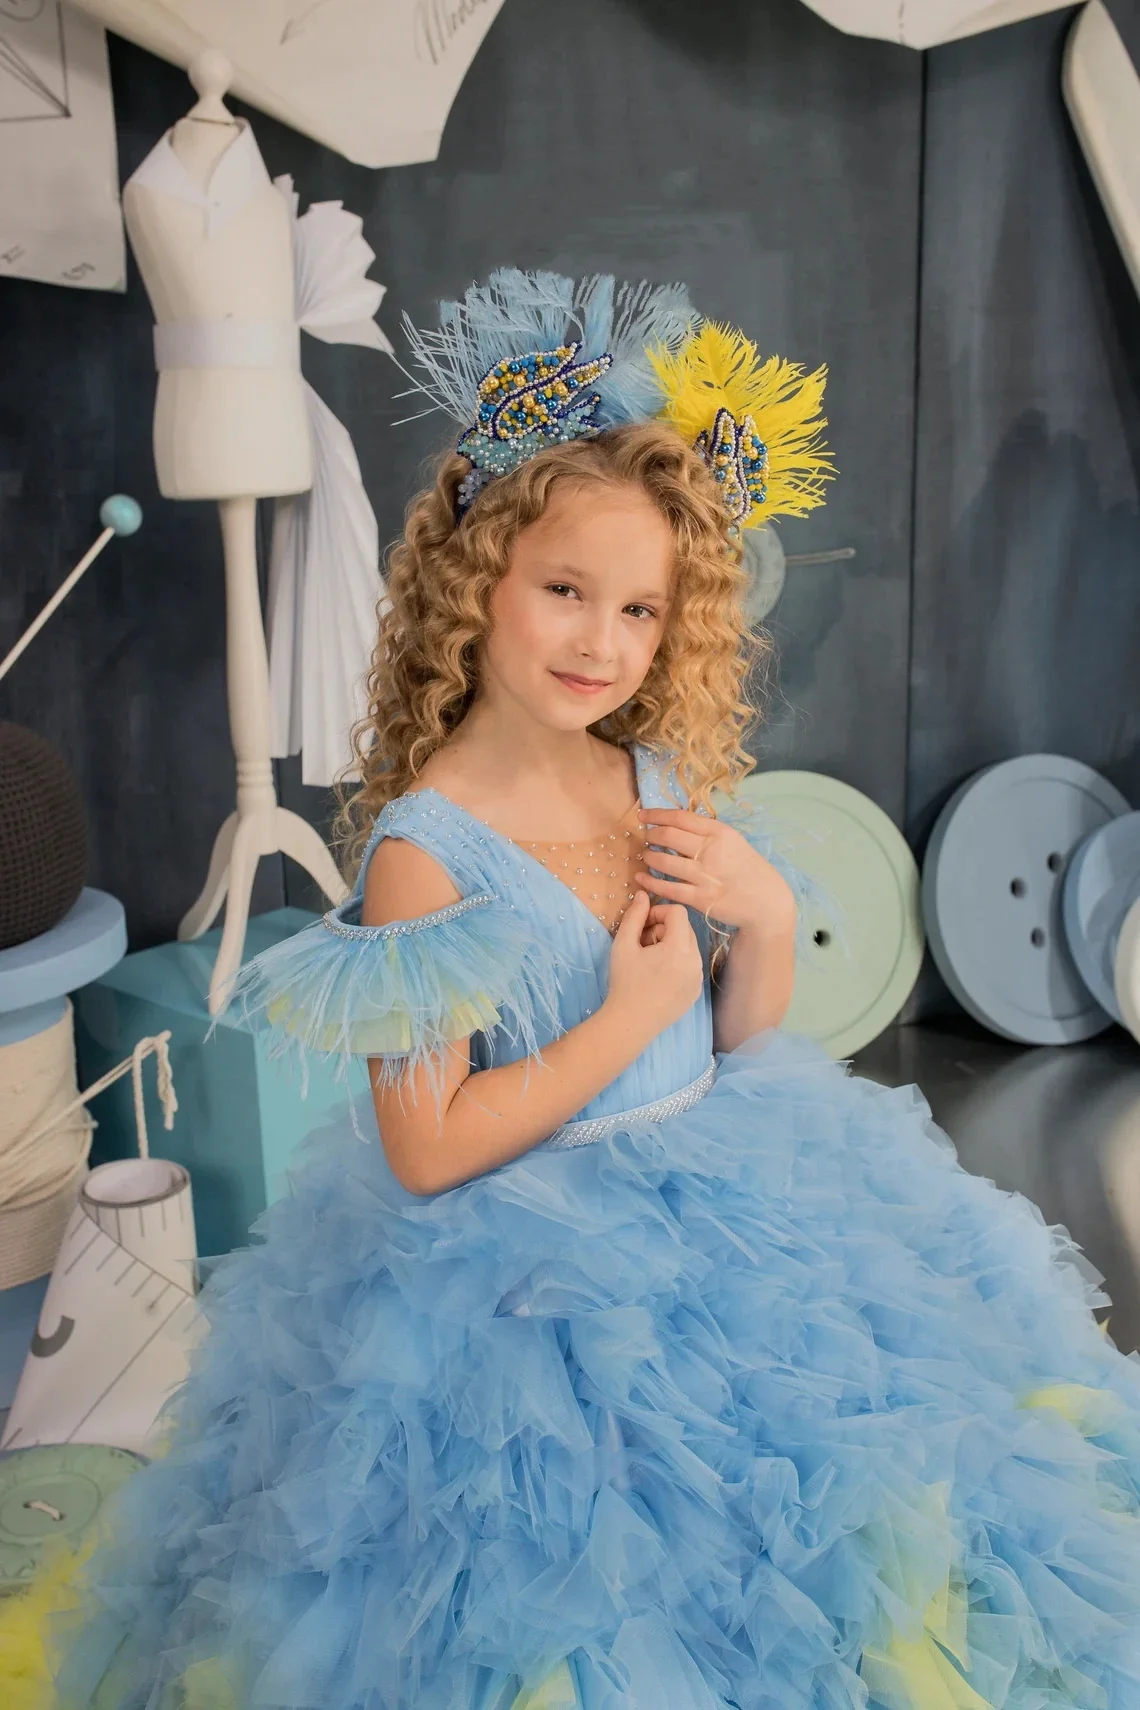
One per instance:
(862, 967)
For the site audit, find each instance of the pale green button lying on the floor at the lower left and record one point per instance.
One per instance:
(54, 1492)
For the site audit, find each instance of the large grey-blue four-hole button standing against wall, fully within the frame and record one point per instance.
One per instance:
(992, 895)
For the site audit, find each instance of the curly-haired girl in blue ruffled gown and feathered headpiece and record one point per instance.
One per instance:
(640, 1357)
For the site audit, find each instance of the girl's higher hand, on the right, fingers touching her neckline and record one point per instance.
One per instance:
(715, 871)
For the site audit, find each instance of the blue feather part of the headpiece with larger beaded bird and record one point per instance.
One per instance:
(534, 360)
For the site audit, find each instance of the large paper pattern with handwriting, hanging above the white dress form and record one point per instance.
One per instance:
(373, 80)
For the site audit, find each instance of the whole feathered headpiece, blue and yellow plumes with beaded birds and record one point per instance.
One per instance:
(534, 360)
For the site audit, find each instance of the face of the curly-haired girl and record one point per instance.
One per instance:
(582, 608)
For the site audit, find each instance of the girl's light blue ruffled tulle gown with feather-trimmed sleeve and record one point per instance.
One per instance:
(737, 1395)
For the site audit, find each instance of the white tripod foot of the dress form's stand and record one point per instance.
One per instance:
(233, 863)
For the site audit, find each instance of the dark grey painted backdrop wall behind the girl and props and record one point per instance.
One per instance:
(922, 225)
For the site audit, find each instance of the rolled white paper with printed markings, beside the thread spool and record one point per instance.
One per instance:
(119, 1318)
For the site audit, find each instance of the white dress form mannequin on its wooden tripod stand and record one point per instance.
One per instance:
(233, 433)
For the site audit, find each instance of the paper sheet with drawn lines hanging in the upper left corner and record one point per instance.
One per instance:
(61, 216)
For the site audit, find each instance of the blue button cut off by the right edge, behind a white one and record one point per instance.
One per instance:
(1102, 885)
